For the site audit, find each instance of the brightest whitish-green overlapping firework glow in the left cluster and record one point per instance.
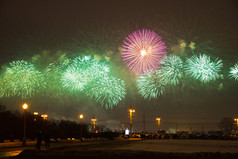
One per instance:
(81, 72)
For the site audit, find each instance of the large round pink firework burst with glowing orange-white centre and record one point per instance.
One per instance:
(143, 50)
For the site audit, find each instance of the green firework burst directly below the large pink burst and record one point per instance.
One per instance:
(150, 85)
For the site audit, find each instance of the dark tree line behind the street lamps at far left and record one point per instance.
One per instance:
(12, 123)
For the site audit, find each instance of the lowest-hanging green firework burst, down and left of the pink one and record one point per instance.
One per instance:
(108, 91)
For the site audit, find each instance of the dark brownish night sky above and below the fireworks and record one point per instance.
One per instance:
(29, 27)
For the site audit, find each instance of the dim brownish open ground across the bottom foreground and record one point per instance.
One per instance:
(118, 148)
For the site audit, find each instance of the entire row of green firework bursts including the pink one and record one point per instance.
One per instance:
(144, 53)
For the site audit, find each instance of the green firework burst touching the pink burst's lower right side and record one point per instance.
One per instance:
(171, 70)
